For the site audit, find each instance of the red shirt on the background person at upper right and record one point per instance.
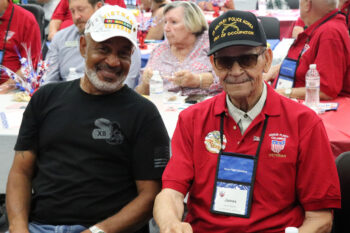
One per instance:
(329, 49)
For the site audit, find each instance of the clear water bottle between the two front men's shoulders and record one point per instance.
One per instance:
(156, 89)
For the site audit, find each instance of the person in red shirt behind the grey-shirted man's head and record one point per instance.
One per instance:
(62, 17)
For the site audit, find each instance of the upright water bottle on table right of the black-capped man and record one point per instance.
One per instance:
(312, 85)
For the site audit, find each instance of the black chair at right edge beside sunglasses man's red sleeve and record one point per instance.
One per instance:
(341, 216)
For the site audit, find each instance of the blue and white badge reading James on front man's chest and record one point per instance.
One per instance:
(234, 183)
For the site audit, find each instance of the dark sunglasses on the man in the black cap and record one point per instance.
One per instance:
(245, 61)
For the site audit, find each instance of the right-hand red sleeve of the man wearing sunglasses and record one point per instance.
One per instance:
(317, 177)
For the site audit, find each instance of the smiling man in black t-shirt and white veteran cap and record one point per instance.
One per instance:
(90, 152)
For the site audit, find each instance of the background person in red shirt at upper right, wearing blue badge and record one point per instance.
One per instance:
(325, 43)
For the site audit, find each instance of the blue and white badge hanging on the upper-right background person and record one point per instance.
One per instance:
(286, 75)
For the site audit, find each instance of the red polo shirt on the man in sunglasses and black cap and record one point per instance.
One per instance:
(300, 177)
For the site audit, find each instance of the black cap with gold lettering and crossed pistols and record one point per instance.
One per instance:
(235, 28)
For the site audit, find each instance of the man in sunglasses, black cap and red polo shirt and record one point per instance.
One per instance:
(245, 157)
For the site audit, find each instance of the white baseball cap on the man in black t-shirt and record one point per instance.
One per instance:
(111, 21)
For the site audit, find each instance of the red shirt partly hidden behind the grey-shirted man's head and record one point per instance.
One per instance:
(63, 13)
